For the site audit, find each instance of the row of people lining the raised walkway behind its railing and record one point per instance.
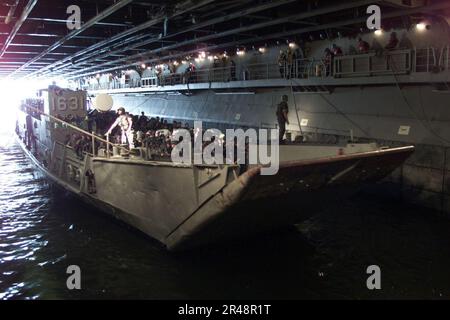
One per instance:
(294, 61)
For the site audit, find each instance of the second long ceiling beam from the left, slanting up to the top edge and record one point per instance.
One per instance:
(107, 12)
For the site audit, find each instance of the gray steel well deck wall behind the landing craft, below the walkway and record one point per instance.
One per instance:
(371, 112)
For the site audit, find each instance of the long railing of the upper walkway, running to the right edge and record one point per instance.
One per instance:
(401, 61)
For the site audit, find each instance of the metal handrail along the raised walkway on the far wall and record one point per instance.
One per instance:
(415, 59)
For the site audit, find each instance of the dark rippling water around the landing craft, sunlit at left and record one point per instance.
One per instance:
(43, 231)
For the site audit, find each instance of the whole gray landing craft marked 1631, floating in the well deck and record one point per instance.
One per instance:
(187, 205)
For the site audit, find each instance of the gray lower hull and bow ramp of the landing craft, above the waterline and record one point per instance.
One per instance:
(190, 206)
